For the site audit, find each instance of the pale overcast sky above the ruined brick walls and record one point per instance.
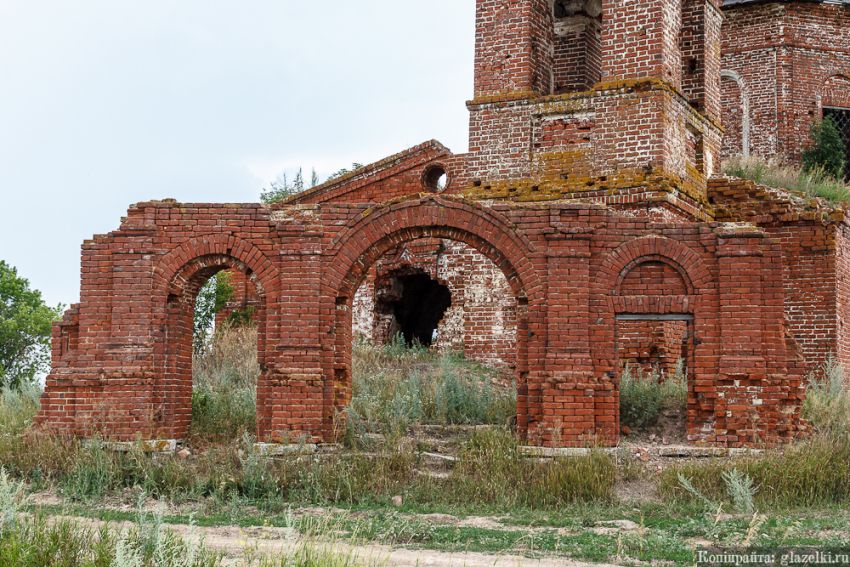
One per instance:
(104, 103)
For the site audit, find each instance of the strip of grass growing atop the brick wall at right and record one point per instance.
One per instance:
(813, 183)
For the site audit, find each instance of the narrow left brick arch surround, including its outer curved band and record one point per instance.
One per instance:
(178, 278)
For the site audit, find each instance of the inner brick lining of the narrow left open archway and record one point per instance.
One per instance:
(174, 393)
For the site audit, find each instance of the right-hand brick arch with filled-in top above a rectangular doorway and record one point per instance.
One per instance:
(659, 304)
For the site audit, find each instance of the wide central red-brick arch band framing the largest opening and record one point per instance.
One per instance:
(373, 235)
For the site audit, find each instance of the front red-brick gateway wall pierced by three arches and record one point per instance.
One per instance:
(569, 266)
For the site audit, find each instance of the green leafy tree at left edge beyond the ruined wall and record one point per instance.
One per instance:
(25, 329)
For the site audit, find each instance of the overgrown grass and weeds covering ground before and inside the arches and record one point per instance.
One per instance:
(794, 496)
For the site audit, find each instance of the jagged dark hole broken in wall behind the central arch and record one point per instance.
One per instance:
(417, 303)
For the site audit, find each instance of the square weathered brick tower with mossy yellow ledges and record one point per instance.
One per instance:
(611, 101)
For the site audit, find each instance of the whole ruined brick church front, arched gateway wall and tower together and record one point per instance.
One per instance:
(585, 229)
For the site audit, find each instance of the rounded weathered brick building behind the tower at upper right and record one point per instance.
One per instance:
(787, 60)
